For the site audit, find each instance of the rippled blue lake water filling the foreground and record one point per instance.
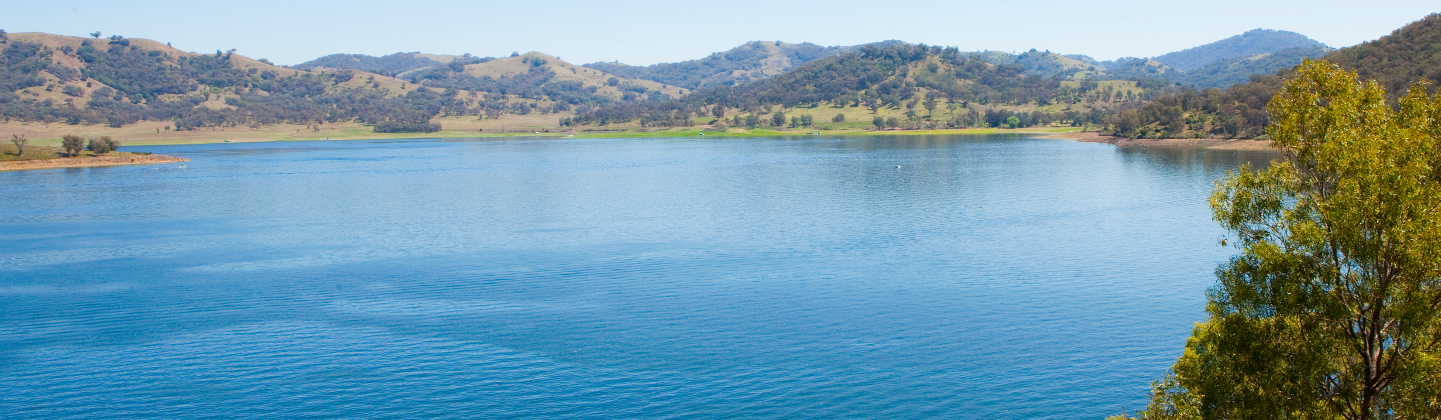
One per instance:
(963, 278)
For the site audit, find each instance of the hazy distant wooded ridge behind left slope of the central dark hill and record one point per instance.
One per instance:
(747, 63)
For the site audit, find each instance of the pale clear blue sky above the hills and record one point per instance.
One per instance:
(648, 32)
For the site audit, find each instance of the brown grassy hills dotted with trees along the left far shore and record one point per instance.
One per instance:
(119, 82)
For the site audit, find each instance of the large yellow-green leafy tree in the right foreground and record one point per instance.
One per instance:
(1334, 308)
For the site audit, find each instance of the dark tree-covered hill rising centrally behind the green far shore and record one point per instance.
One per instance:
(913, 77)
